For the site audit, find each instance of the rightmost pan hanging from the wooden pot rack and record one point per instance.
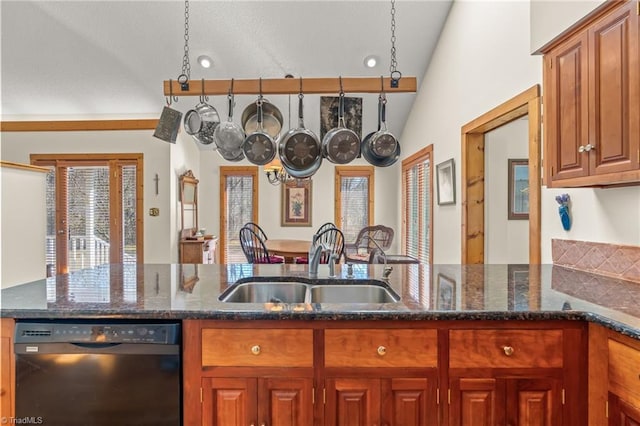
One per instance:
(381, 148)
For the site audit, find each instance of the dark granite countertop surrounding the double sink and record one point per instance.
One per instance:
(436, 292)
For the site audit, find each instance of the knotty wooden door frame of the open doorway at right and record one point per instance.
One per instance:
(473, 174)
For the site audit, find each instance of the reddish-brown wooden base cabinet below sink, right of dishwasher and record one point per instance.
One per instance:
(338, 373)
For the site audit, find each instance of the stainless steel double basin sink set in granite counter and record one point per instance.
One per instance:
(295, 290)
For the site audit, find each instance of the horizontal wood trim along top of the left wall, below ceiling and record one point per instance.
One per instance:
(77, 125)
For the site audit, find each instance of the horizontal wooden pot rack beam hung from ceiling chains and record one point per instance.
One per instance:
(287, 86)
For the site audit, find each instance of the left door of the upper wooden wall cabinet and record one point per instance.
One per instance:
(566, 104)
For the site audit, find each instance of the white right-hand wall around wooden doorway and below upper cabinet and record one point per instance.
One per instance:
(481, 61)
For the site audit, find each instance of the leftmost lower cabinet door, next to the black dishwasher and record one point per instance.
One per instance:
(229, 402)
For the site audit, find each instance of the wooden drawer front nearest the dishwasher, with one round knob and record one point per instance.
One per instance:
(257, 348)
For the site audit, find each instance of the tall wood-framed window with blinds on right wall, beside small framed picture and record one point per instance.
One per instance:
(417, 210)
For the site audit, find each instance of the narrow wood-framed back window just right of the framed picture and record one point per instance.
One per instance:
(354, 199)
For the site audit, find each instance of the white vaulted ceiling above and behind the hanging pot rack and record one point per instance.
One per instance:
(91, 58)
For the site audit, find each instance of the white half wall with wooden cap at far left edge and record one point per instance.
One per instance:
(23, 226)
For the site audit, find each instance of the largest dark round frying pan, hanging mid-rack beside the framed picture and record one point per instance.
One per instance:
(300, 149)
